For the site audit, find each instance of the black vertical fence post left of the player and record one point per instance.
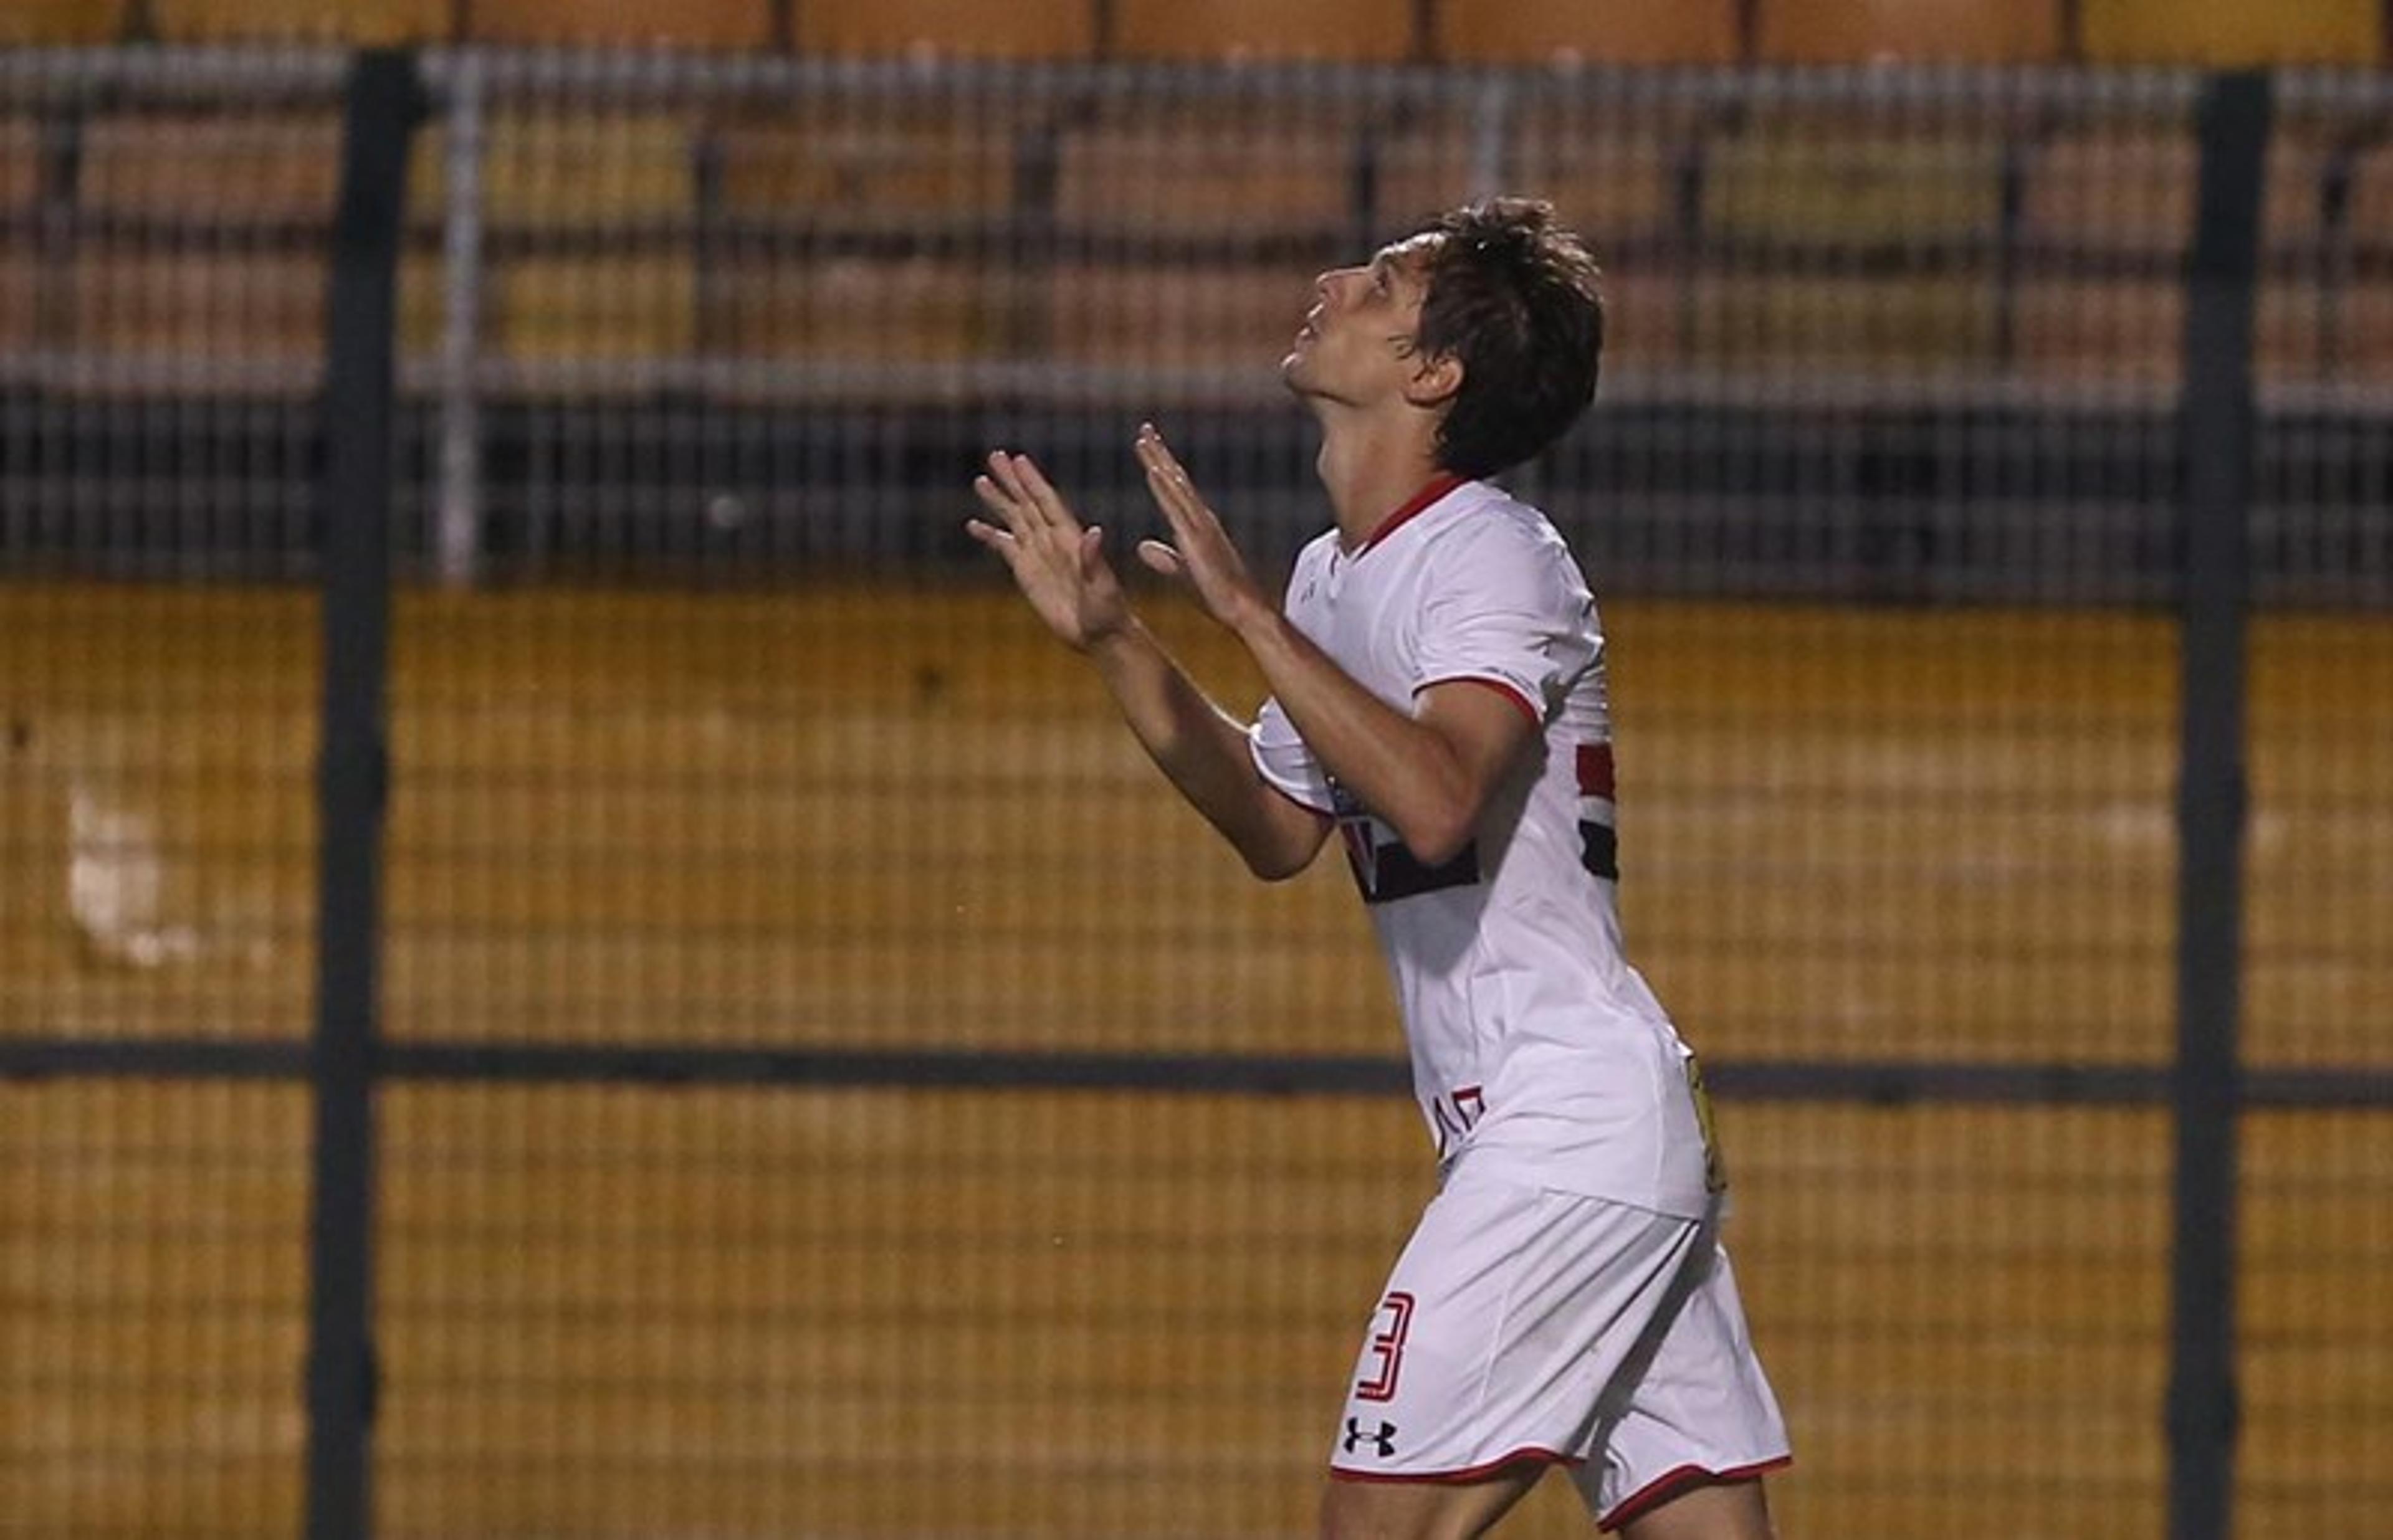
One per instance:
(384, 106)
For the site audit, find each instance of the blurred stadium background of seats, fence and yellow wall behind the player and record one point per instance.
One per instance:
(822, 1084)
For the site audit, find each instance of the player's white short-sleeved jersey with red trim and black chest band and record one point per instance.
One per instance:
(1538, 1053)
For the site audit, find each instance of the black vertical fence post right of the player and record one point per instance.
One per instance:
(2217, 422)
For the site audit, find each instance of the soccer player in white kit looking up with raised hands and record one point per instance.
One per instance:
(1437, 699)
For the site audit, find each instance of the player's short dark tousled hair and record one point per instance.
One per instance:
(1518, 302)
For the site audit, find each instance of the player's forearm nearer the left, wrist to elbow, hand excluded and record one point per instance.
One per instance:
(1202, 752)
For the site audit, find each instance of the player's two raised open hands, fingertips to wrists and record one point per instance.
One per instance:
(1061, 566)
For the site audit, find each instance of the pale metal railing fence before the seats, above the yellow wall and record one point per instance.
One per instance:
(1875, 331)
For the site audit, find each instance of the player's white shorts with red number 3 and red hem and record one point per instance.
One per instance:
(1573, 1331)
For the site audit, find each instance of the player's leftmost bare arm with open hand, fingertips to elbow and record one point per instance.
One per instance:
(1068, 582)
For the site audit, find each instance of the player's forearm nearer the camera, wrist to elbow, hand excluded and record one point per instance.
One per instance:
(1396, 766)
